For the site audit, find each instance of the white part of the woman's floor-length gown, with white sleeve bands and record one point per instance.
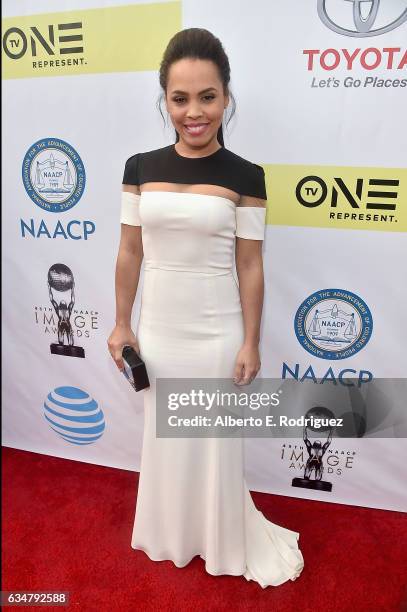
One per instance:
(192, 496)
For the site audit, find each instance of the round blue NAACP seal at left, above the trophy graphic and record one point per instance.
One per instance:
(53, 175)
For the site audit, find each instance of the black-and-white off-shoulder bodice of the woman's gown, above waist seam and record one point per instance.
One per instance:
(193, 232)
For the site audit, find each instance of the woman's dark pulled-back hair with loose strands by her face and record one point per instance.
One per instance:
(197, 43)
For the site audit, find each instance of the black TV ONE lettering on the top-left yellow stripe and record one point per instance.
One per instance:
(57, 40)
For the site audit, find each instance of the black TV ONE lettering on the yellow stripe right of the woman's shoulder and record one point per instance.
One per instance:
(377, 195)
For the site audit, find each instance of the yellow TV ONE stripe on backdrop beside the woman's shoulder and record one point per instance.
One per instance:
(339, 197)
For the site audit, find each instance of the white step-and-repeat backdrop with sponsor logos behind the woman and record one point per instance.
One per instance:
(320, 88)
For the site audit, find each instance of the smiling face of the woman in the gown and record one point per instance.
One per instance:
(195, 98)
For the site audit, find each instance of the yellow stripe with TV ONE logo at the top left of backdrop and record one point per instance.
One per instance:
(113, 39)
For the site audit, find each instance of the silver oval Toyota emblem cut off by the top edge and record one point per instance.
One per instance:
(361, 17)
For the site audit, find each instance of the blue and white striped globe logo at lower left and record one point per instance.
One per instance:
(74, 415)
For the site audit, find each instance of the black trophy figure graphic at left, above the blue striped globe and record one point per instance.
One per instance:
(60, 279)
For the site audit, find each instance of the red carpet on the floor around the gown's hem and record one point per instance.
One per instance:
(67, 526)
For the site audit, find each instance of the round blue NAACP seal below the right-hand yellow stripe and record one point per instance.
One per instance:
(333, 324)
